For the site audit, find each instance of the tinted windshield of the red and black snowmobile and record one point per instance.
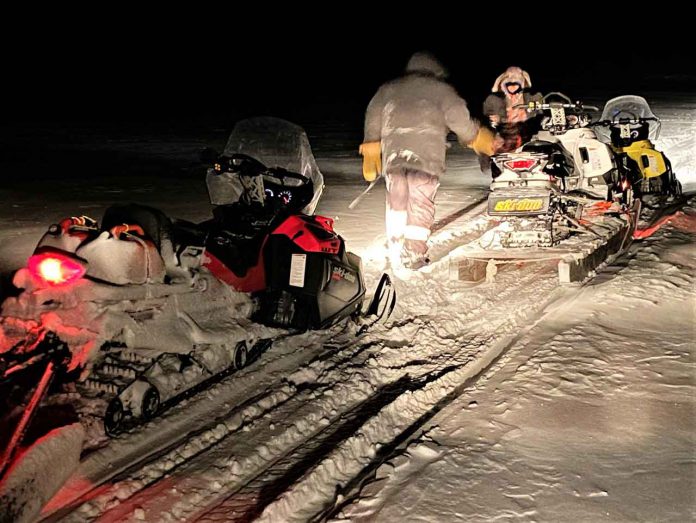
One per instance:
(276, 143)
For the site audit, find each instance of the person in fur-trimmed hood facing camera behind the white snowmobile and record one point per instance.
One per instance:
(515, 124)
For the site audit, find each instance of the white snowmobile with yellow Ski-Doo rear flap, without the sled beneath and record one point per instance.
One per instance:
(543, 186)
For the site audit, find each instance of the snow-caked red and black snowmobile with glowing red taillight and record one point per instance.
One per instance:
(140, 310)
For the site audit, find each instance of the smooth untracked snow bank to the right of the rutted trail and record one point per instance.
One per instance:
(589, 416)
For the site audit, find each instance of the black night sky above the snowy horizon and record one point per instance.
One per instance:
(219, 67)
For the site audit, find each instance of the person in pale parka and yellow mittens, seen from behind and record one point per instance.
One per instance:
(406, 127)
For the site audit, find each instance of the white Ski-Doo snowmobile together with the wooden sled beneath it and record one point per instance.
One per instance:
(549, 200)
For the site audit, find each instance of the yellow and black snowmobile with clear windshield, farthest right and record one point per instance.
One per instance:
(629, 127)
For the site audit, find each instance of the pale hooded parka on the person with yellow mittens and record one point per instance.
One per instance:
(412, 115)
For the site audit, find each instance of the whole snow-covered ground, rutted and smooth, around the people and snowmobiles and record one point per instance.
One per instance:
(588, 414)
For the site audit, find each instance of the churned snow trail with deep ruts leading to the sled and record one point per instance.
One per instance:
(401, 376)
